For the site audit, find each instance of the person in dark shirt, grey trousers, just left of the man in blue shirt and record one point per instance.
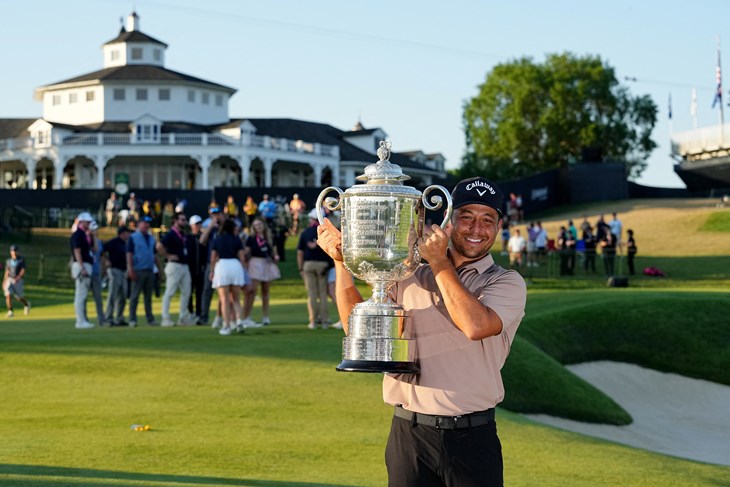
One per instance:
(116, 252)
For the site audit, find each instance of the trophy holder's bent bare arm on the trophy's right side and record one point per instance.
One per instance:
(473, 318)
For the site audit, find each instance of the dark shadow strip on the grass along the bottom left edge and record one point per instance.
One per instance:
(85, 477)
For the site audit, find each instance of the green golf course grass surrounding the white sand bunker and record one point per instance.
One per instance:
(267, 408)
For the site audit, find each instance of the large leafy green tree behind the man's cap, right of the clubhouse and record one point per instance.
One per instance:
(530, 117)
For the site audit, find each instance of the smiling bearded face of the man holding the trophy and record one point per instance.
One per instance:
(475, 228)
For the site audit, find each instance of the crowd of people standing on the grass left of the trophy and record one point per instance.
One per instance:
(232, 252)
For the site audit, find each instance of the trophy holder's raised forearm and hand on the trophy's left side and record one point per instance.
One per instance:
(346, 294)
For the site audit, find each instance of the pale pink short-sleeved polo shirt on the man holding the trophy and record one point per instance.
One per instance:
(458, 375)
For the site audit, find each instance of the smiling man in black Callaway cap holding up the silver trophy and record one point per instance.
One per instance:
(464, 311)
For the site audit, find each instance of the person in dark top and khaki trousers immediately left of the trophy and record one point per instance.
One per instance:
(314, 265)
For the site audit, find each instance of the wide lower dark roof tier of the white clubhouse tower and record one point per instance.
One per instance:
(138, 72)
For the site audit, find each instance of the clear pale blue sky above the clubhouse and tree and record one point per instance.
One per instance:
(406, 66)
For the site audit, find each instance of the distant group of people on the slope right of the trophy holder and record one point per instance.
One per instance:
(604, 237)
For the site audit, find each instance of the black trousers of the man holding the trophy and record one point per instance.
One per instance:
(423, 456)
